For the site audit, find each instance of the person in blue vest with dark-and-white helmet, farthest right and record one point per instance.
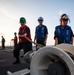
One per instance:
(63, 32)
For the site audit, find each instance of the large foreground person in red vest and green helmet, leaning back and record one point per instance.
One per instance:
(23, 42)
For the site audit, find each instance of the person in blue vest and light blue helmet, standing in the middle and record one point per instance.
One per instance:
(41, 33)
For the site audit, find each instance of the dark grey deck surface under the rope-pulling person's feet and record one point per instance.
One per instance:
(6, 60)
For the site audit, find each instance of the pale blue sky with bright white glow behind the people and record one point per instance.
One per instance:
(50, 10)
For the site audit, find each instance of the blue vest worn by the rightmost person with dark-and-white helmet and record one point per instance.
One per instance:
(64, 35)
